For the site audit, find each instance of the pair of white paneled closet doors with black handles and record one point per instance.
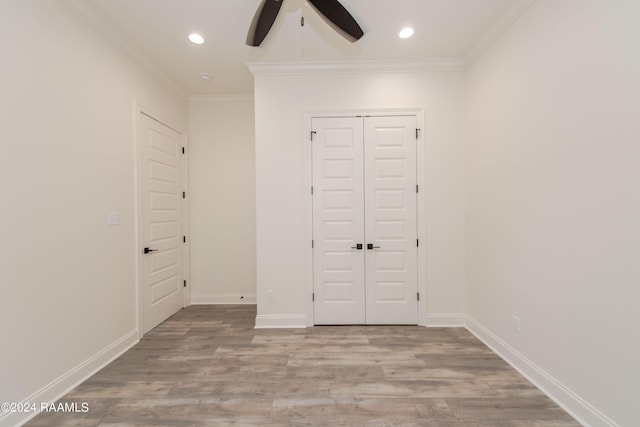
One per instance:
(364, 220)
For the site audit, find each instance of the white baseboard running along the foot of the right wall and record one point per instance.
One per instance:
(554, 389)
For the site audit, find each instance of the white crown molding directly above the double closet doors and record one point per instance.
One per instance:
(355, 67)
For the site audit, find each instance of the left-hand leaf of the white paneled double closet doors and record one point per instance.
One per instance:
(338, 223)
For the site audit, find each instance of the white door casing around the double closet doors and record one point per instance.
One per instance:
(421, 200)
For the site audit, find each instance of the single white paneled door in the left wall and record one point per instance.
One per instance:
(161, 222)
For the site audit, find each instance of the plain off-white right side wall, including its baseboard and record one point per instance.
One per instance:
(553, 204)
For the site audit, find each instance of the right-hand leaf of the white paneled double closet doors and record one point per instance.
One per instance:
(390, 220)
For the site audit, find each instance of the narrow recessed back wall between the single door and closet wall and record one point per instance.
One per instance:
(222, 200)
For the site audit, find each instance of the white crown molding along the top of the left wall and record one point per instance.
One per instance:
(92, 18)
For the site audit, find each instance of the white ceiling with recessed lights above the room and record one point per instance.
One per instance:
(157, 30)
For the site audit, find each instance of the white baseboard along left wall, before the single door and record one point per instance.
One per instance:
(68, 381)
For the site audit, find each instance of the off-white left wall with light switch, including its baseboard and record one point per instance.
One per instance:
(66, 159)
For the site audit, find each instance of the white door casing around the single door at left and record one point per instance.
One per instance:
(138, 111)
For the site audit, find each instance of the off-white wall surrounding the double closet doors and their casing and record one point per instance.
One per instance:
(282, 184)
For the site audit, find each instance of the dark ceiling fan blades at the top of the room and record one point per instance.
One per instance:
(331, 11)
